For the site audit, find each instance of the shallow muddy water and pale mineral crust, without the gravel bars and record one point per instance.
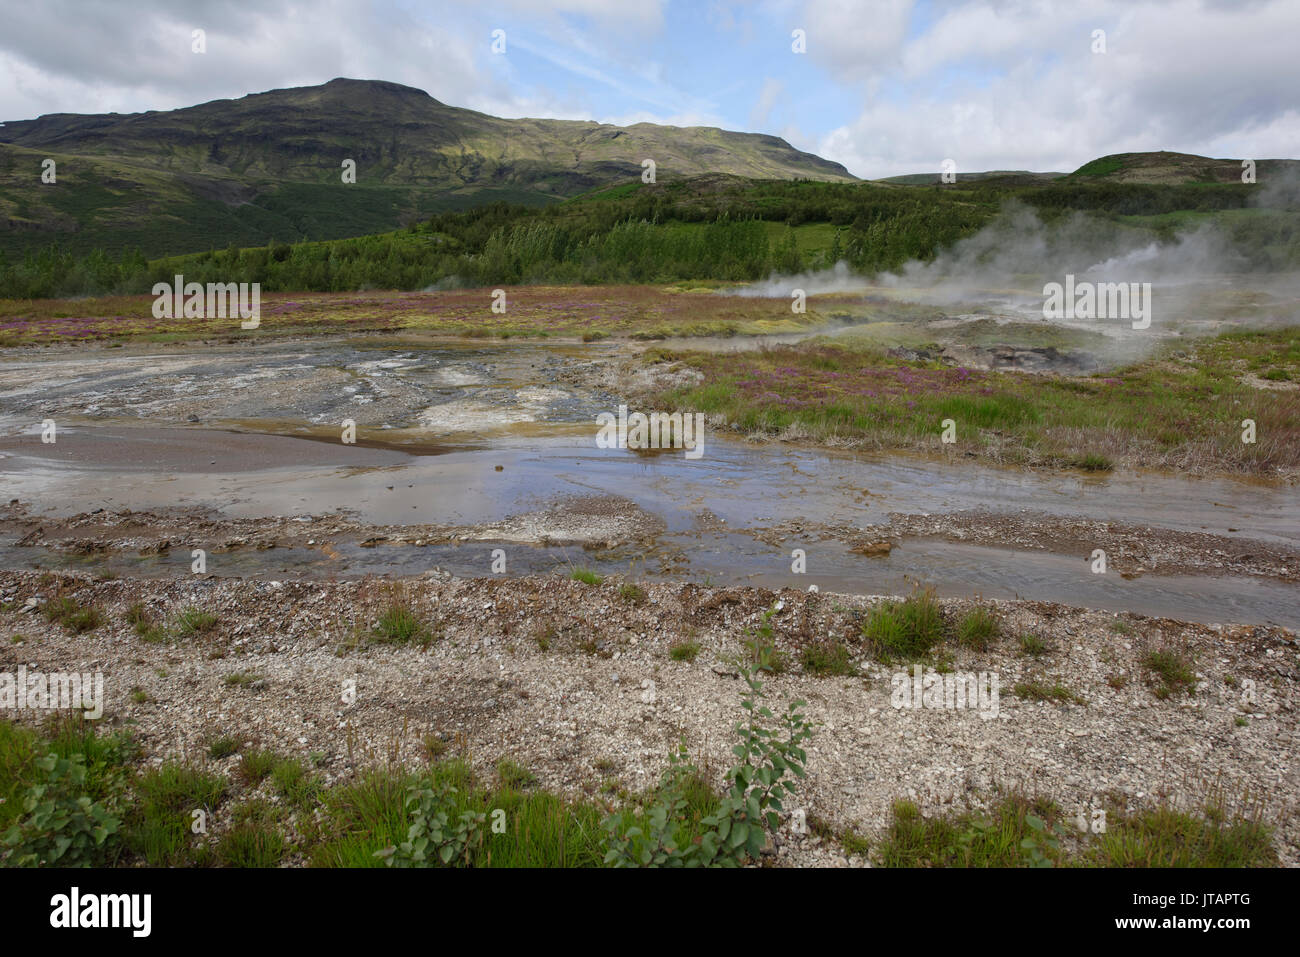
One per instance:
(476, 434)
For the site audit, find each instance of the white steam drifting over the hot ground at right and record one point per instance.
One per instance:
(1201, 284)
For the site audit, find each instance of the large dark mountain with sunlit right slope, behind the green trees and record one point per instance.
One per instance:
(268, 166)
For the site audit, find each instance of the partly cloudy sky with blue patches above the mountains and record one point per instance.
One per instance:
(882, 86)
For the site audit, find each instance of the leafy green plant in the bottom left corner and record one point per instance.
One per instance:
(63, 826)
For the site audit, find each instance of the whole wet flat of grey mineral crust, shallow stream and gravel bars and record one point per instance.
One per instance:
(465, 448)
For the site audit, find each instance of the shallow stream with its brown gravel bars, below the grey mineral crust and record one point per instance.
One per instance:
(137, 501)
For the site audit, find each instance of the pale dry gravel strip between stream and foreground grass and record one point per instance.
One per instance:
(578, 685)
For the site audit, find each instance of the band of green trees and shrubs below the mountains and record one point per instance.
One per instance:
(710, 228)
